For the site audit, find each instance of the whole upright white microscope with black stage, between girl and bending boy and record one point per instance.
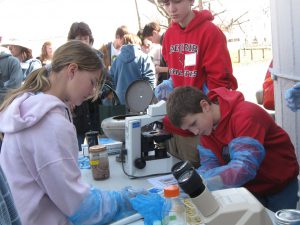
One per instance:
(145, 151)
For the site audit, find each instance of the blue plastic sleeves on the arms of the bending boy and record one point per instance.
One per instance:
(246, 155)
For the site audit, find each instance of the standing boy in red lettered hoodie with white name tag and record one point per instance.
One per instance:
(196, 53)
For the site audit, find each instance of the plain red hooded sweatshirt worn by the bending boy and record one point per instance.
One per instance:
(241, 118)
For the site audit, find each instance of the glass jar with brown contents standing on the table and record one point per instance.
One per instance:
(99, 162)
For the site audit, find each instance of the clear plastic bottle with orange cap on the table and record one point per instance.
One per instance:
(173, 209)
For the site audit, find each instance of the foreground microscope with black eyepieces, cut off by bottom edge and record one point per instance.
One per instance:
(233, 206)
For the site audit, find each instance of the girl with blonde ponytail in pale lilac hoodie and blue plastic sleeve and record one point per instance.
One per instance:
(39, 152)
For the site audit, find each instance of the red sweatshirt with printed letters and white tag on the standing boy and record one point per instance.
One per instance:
(198, 54)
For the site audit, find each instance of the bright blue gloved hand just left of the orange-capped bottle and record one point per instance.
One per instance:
(149, 206)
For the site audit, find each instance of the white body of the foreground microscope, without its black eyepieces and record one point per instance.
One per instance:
(234, 206)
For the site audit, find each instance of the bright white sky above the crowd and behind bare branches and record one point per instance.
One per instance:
(42, 20)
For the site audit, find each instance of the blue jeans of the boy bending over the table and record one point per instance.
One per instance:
(285, 199)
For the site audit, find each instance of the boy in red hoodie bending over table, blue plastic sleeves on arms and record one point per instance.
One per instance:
(241, 145)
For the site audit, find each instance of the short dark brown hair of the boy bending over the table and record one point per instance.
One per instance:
(183, 101)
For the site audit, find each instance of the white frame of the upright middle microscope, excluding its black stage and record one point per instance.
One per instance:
(136, 163)
